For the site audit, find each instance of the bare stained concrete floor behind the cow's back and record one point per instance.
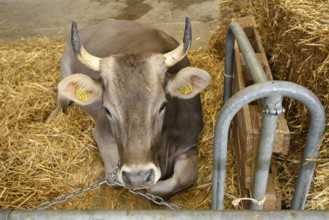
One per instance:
(31, 18)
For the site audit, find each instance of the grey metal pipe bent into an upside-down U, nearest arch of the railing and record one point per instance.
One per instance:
(252, 93)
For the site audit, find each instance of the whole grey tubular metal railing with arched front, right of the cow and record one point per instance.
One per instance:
(271, 93)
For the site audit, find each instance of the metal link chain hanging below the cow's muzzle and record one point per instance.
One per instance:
(79, 192)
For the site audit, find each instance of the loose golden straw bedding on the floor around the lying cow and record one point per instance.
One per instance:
(40, 161)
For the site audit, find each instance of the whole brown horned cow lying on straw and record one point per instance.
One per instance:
(136, 83)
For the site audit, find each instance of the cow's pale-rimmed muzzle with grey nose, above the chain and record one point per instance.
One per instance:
(139, 176)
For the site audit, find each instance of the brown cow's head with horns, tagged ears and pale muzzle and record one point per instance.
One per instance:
(132, 89)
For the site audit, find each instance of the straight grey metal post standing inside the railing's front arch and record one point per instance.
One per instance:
(269, 124)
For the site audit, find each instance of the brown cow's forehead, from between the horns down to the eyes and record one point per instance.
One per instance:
(133, 78)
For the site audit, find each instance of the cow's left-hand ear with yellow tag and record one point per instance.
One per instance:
(80, 88)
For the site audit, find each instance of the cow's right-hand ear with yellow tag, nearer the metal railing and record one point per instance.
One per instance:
(188, 82)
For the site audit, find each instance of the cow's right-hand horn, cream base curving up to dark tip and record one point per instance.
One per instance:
(180, 52)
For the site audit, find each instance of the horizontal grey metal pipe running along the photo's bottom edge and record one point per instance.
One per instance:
(161, 214)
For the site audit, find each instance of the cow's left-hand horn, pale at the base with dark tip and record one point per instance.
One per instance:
(83, 56)
